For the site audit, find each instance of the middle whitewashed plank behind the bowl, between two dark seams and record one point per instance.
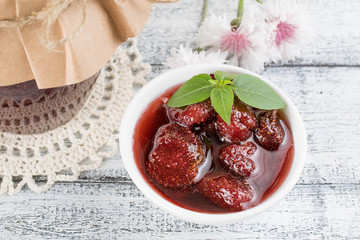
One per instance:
(329, 103)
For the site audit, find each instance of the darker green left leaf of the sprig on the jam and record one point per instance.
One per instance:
(195, 90)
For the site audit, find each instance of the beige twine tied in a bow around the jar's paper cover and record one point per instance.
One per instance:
(49, 14)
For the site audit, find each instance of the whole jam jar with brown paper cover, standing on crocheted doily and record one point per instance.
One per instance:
(42, 89)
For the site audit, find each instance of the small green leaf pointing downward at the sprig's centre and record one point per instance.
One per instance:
(222, 99)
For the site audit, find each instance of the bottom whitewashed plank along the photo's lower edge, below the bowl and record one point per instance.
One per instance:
(120, 211)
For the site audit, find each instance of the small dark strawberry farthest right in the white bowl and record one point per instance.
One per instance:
(270, 134)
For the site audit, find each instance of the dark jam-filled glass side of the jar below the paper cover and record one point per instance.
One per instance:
(25, 109)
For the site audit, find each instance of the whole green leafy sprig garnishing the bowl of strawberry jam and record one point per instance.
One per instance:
(249, 89)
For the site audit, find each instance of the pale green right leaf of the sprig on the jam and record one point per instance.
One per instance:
(254, 92)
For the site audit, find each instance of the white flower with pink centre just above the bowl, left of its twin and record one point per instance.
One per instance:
(243, 46)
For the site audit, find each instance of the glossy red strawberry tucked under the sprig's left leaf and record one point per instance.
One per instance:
(193, 114)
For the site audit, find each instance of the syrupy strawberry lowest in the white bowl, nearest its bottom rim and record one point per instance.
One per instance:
(226, 191)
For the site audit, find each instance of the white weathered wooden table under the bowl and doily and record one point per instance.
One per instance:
(325, 203)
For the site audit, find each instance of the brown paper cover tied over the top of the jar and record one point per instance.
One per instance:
(23, 57)
